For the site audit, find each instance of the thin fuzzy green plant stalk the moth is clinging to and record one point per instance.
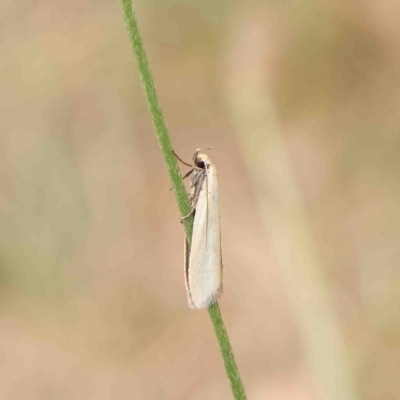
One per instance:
(177, 185)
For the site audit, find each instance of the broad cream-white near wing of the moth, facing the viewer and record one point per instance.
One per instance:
(205, 261)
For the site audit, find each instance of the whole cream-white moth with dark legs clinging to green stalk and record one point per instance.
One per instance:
(202, 258)
